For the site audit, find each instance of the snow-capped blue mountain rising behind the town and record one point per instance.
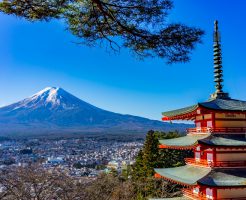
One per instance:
(54, 111)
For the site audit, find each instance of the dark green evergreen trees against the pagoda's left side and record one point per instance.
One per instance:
(151, 157)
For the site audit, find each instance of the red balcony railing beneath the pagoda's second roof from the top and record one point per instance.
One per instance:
(206, 163)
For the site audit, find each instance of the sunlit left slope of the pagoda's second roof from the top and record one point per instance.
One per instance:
(188, 141)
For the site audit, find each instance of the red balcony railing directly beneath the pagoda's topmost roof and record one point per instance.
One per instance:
(217, 130)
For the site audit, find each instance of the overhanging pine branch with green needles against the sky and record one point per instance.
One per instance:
(140, 25)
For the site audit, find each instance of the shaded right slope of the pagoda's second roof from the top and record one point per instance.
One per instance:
(224, 140)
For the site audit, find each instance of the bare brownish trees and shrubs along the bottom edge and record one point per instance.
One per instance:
(32, 183)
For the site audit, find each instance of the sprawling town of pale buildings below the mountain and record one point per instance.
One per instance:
(78, 157)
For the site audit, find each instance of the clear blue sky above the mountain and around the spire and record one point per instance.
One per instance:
(36, 55)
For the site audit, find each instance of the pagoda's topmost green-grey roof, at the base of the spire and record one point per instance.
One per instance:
(213, 104)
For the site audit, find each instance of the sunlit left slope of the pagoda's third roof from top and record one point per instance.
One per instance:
(187, 175)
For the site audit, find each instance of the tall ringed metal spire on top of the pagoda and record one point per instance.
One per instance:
(218, 72)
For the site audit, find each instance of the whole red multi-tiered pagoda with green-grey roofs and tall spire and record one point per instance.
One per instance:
(218, 168)
